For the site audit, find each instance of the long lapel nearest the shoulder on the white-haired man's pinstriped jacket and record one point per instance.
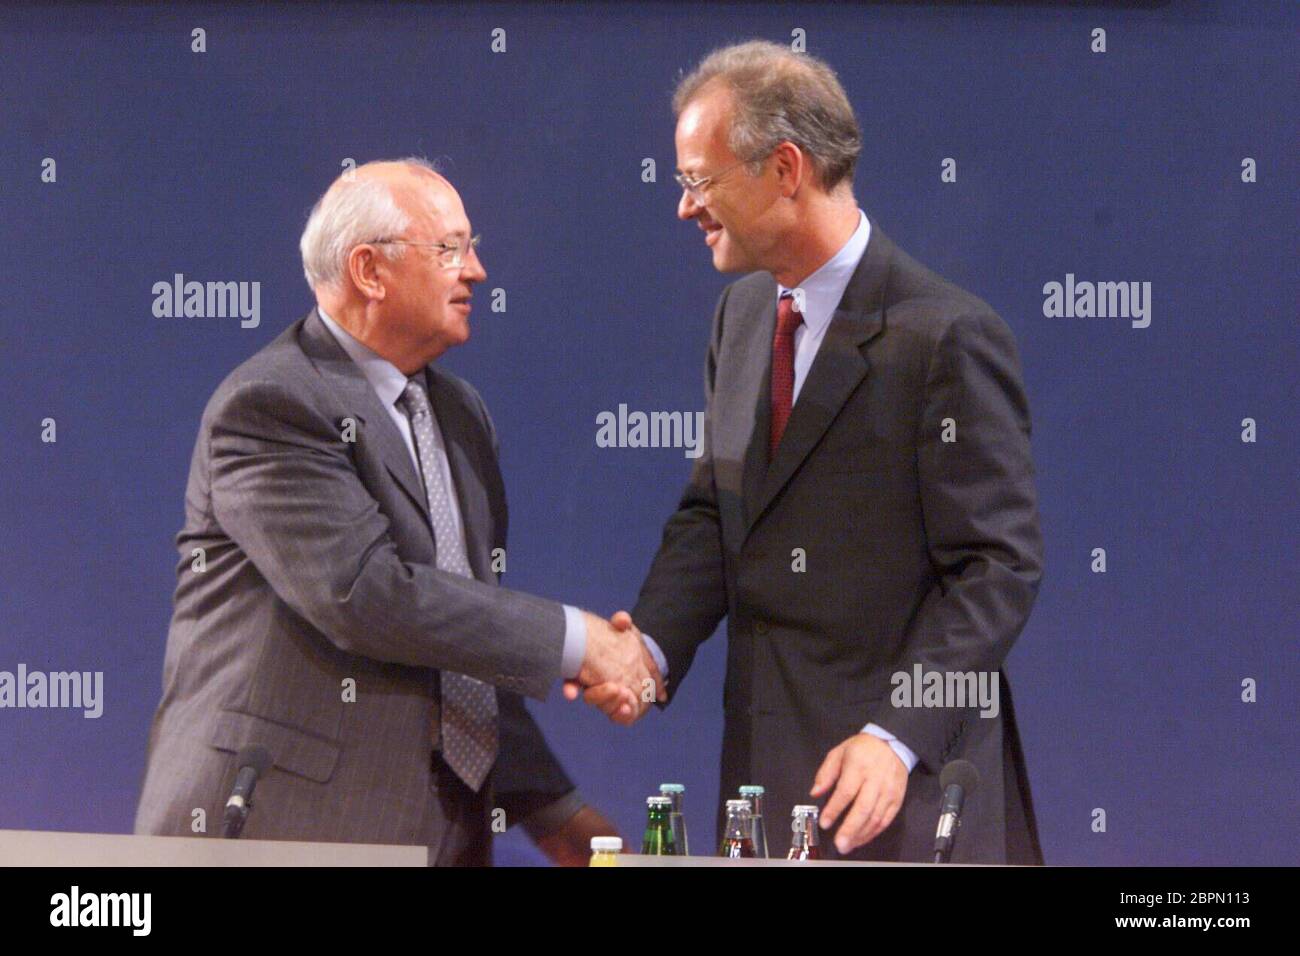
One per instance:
(362, 404)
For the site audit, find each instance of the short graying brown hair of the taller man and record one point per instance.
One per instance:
(782, 96)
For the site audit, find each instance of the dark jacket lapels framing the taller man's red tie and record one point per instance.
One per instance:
(839, 369)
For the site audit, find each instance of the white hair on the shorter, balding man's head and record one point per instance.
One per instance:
(353, 210)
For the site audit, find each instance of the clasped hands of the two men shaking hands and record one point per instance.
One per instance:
(618, 677)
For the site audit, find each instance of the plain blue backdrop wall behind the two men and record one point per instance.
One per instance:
(1124, 166)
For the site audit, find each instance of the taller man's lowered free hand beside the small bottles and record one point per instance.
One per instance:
(872, 778)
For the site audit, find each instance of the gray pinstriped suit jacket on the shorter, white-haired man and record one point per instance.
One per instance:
(319, 579)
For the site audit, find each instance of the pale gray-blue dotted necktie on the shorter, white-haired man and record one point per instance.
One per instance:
(469, 706)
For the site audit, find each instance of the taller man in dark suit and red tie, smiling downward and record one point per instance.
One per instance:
(865, 501)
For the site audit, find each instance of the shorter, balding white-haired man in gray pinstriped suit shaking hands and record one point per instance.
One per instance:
(337, 600)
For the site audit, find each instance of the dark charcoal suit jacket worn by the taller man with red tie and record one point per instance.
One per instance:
(917, 551)
